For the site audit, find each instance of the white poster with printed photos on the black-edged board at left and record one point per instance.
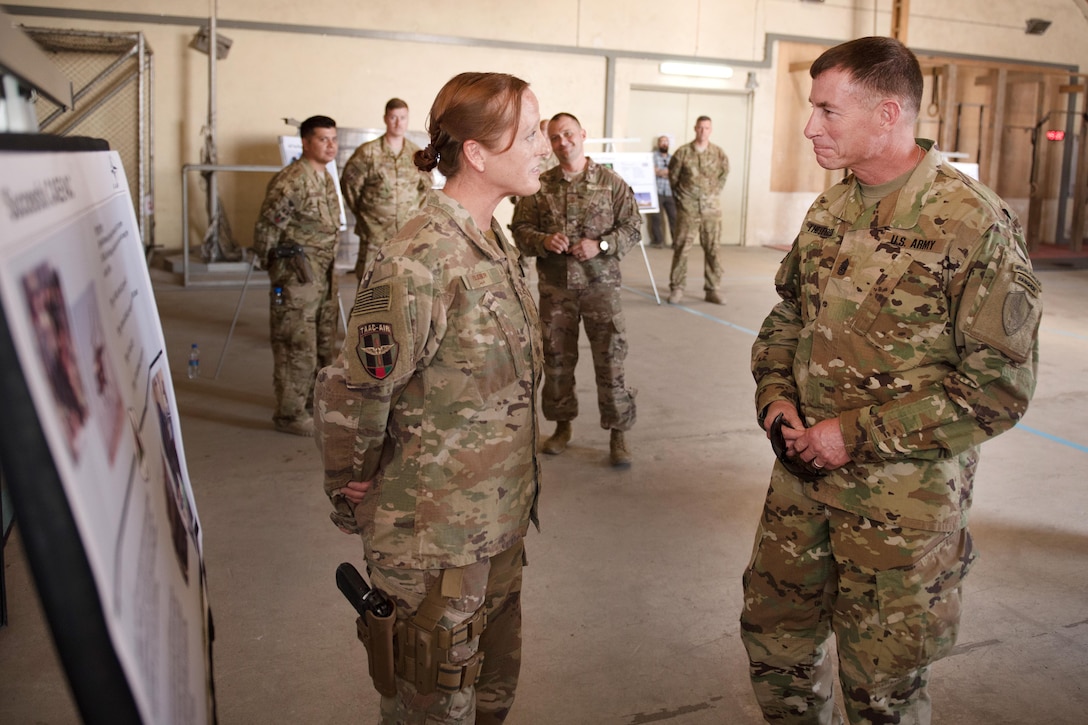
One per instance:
(79, 301)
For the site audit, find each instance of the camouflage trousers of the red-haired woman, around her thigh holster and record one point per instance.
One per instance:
(494, 584)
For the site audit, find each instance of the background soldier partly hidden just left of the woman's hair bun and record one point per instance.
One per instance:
(382, 187)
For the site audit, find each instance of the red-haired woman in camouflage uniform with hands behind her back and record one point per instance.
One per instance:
(427, 424)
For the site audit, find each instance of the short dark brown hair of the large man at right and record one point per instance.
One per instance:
(884, 67)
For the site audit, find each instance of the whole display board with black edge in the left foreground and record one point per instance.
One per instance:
(92, 444)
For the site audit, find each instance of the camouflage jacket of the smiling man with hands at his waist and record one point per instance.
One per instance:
(599, 205)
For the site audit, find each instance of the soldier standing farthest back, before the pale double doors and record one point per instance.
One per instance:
(698, 175)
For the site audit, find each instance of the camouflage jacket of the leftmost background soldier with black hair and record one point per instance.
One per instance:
(301, 207)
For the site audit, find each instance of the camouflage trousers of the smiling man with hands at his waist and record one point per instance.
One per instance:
(600, 310)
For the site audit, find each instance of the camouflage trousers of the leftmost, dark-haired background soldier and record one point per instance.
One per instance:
(303, 330)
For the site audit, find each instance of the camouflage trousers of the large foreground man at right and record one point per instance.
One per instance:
(889, 595)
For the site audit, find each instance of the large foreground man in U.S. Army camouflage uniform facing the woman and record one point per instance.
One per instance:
(906, 337)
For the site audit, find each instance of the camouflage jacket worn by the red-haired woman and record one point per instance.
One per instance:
(432, 397)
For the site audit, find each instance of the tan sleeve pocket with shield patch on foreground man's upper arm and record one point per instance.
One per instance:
(1010, 316)
